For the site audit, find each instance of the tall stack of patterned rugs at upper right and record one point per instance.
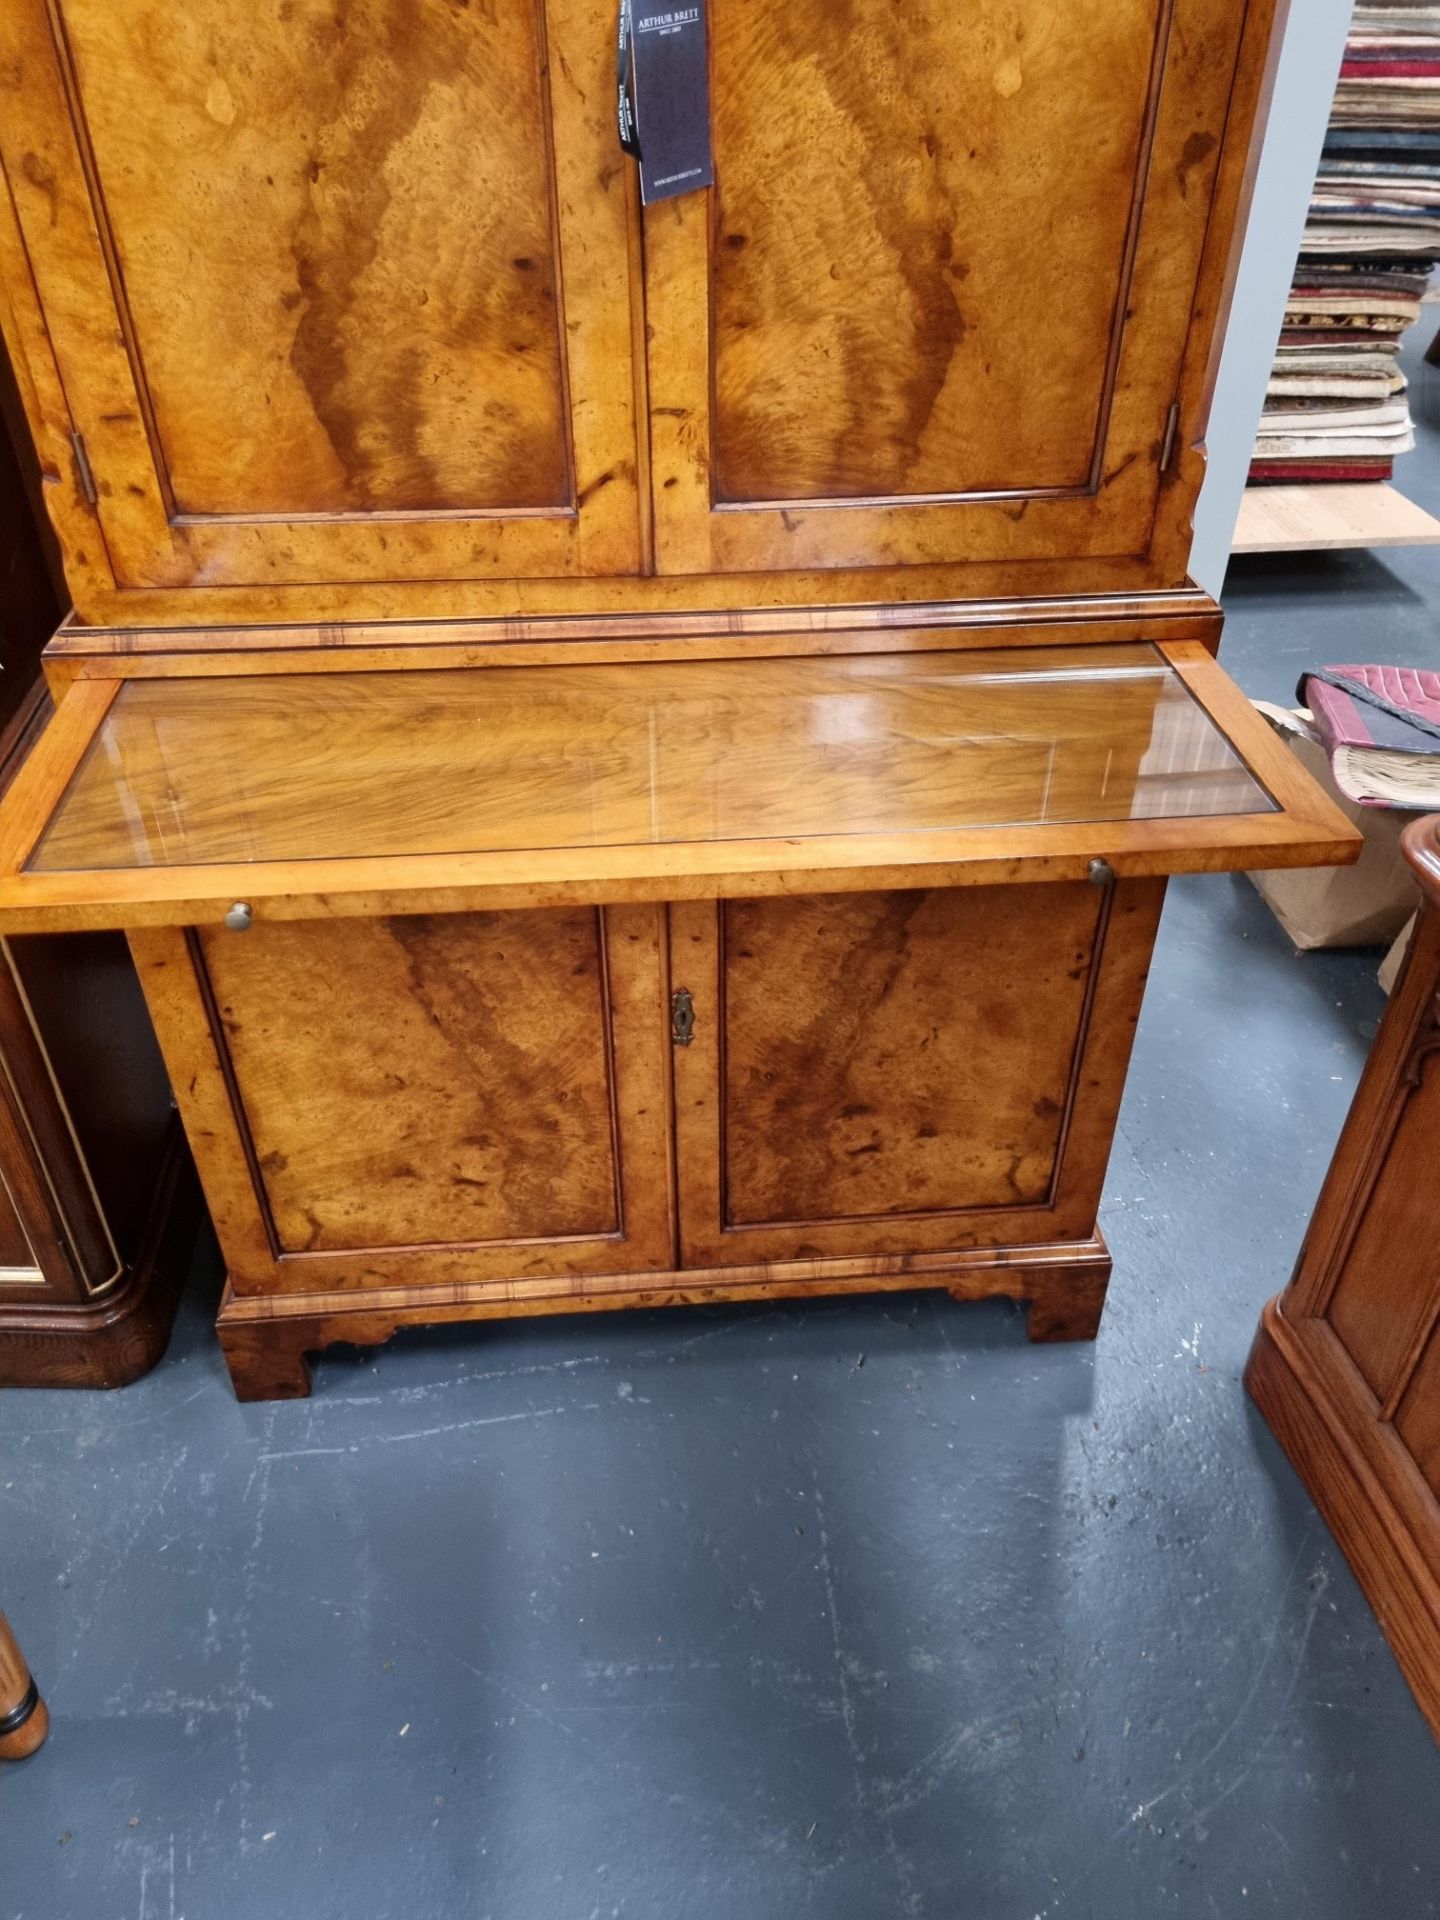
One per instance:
(1335, 406)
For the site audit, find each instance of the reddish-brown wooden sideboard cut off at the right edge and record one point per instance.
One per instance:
(1347, 1360)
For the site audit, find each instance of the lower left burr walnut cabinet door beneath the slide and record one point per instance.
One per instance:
(423, 1099)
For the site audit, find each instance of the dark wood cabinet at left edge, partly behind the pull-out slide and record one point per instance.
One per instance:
(97, 1201)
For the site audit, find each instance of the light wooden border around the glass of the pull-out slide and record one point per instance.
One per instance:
(1301, 828)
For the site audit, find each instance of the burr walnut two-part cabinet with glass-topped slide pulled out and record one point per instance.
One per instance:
(638, 752)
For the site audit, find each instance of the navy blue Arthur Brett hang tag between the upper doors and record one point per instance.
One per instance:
(669, 91)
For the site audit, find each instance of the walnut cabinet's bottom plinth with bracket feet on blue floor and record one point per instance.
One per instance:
(266, 1339)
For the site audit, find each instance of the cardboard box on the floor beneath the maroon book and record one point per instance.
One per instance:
(1362, 905)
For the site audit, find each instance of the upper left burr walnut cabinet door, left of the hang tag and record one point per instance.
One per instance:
(339, 289)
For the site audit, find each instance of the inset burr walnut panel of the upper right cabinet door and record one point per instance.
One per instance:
(882, 193)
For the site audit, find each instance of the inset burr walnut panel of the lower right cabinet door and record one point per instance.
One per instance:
(890, 1055)
